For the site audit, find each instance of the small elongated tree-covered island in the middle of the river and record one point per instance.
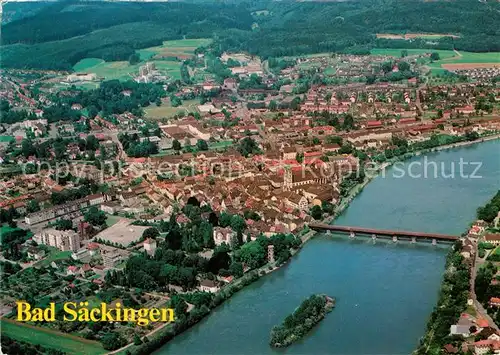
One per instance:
(302, 320)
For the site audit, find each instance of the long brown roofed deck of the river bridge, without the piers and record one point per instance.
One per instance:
(385, 232)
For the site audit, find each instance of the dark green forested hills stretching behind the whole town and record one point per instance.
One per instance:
(62, 33)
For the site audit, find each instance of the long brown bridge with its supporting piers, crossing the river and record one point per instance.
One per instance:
(387, 233)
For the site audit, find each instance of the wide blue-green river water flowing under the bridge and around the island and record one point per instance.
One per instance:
(385, 292)
